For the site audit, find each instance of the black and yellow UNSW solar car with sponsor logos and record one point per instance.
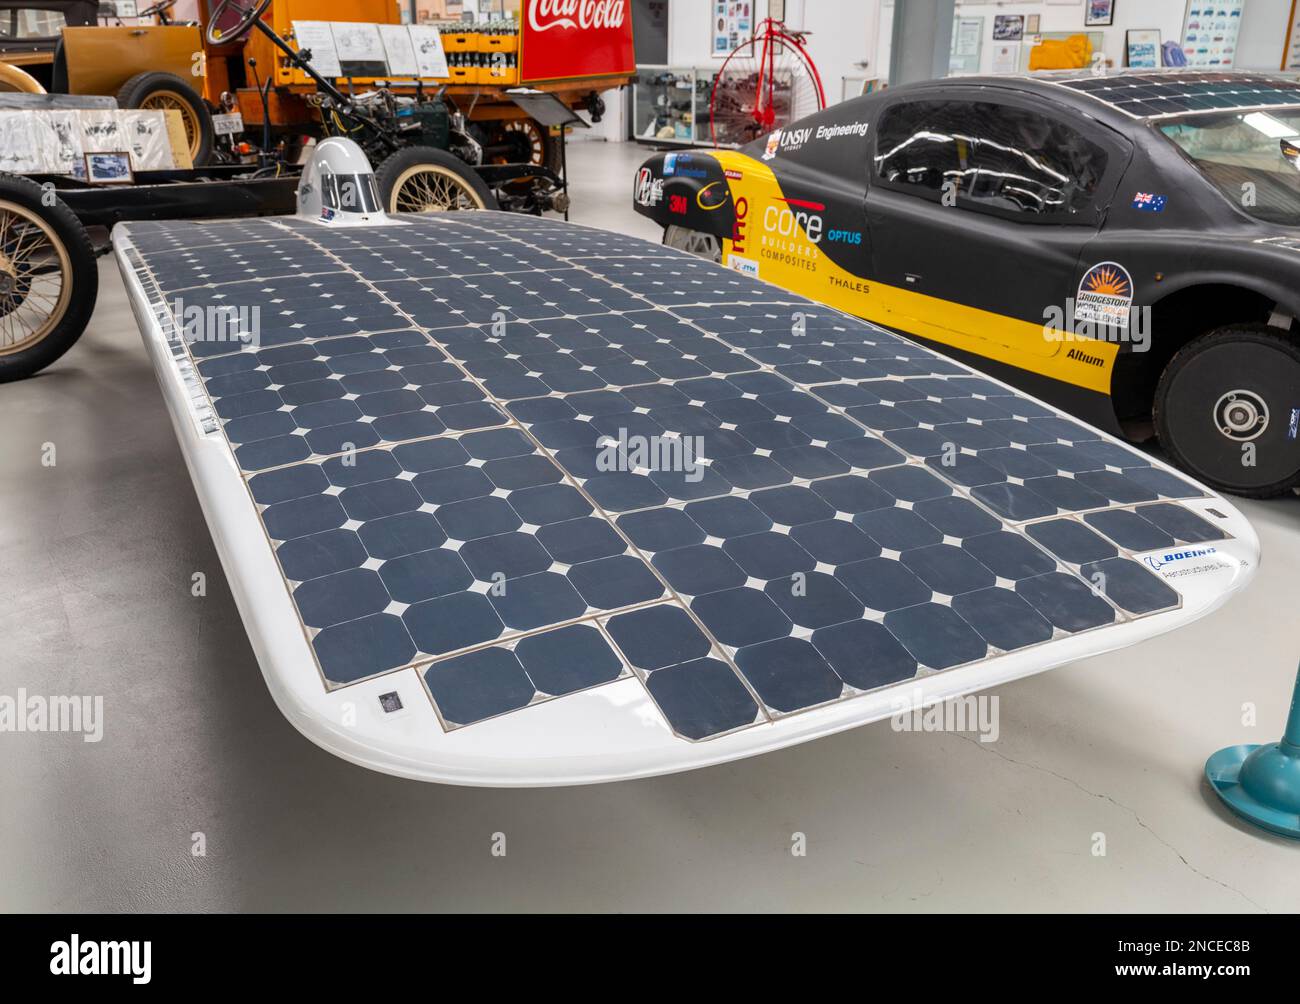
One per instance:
(1125, 246)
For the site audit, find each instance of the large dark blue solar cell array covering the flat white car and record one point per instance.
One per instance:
(439, 425)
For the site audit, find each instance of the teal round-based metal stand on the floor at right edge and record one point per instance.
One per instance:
(1263, 784)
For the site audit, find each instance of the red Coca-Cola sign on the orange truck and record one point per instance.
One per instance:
(566, 40)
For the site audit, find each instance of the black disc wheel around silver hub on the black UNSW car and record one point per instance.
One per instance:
(1255, 358)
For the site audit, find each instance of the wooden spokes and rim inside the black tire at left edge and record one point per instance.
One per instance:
(34, 285)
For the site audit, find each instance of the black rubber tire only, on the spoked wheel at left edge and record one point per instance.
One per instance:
(85, 280)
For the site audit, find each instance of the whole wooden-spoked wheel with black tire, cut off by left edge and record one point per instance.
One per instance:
(49, 279)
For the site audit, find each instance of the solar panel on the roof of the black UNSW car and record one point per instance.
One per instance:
(1156, 96)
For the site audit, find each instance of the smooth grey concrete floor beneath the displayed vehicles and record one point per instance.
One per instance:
(97, 556)
